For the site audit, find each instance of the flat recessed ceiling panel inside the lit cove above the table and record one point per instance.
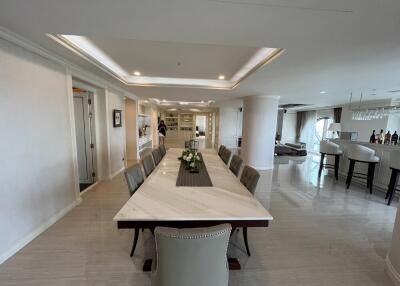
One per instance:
(178, 60)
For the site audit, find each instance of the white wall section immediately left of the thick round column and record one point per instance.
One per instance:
(230, 122)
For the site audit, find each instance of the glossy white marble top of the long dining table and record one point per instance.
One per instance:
(159, 199)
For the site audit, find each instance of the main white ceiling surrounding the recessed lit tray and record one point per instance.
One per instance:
(337, 46)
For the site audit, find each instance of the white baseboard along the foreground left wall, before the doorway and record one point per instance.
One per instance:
(27, 239)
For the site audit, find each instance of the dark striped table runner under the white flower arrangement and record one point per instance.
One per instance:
(200, 179)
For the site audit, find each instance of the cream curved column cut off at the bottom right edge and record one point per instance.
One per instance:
(393, 258)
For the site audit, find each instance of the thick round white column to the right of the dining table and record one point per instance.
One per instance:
(259, 128)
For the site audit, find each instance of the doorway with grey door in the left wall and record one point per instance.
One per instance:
(85, 136)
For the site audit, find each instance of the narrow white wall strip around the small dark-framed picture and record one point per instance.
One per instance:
(117, 140)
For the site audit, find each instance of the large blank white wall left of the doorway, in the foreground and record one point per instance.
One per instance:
(37, 180)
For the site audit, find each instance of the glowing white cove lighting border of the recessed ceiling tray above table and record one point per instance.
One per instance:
(86, 49)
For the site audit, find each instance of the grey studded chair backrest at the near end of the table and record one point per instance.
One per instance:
(195, 256)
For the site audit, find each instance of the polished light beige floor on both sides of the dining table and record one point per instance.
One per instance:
(321, 235)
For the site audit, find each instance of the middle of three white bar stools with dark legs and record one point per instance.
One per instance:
(362, 154)
